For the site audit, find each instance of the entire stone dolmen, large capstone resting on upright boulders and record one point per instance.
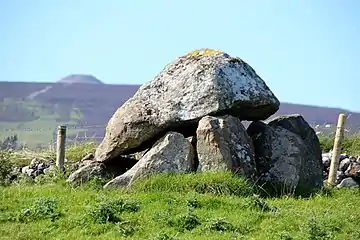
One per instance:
(189, 119)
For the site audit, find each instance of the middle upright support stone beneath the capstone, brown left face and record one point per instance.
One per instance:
(223, 144)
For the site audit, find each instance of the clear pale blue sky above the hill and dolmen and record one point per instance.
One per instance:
(307, 51)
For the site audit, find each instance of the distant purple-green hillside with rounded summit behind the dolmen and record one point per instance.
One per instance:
(85, 104)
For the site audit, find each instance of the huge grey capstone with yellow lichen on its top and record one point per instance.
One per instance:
(187, 89)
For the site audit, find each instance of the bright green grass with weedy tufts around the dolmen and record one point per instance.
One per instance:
(183, 206)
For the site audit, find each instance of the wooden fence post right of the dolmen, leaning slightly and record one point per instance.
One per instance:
(334, 165)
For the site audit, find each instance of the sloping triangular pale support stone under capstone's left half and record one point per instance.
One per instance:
(171, 154)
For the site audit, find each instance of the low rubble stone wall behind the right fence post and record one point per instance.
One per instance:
(348, 173)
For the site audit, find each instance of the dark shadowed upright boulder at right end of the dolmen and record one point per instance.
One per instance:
(286, 161)
